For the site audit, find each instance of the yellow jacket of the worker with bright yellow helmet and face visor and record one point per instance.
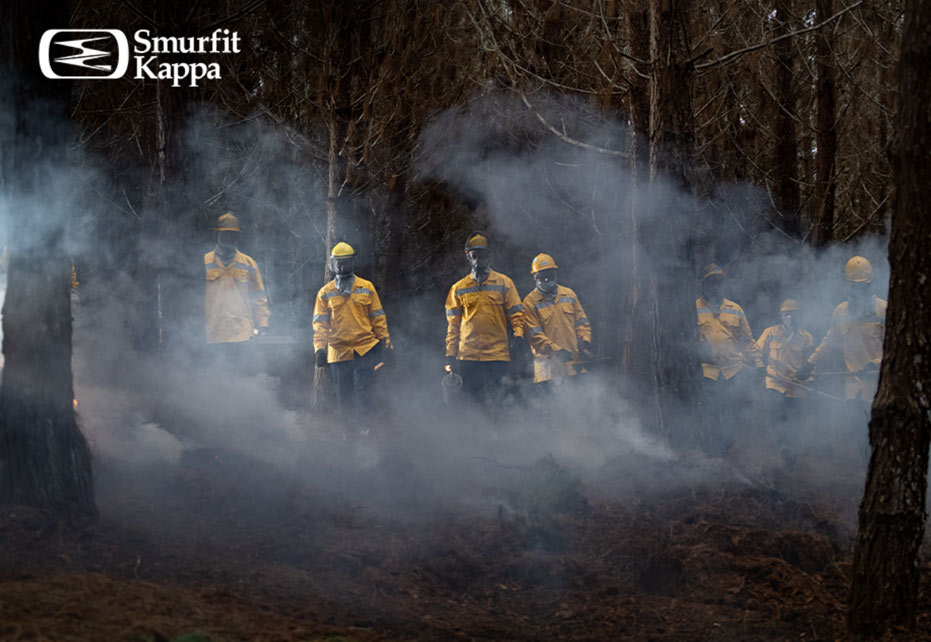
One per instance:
(348, 323)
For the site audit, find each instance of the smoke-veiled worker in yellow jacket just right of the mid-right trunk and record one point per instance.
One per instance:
(726, 346)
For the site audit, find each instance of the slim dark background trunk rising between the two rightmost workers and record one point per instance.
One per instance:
(826, 139)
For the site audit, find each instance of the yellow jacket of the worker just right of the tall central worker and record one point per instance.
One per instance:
(553, 323)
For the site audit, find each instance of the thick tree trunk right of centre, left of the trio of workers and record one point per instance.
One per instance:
(671, 292)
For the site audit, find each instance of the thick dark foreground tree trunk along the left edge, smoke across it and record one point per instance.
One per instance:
(44, 458)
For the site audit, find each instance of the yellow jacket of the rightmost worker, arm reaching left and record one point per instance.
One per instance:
(861, 340)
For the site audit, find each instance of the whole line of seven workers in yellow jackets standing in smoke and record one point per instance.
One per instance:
(351, 330)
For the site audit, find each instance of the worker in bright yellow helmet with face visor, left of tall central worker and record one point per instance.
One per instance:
(350, 331)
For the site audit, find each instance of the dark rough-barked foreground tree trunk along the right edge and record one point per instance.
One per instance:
(884, 591)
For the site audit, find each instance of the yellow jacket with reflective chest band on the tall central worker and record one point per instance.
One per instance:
(477, 316)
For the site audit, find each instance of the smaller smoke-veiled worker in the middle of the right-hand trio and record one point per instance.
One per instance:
(785, 348)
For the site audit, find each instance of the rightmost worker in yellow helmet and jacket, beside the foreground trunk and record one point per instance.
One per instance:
(856, 331)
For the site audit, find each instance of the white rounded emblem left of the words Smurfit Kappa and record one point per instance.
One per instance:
(83, 54)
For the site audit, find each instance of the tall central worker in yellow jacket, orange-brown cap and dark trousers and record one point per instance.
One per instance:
(478, 309)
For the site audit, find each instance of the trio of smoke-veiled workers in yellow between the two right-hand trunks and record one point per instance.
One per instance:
(785, 355)
